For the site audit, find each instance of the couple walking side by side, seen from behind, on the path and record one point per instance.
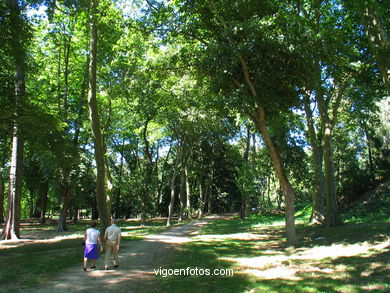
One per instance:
(112, 239)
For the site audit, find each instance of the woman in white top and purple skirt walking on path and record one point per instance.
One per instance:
(91, 240)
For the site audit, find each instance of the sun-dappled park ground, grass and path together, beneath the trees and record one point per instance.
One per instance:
(350, 258)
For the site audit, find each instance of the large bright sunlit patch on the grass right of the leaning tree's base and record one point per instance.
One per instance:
(315, 261)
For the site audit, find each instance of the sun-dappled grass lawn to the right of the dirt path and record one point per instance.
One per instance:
(295, 270)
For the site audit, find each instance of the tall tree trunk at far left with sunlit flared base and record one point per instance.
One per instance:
(12, 224)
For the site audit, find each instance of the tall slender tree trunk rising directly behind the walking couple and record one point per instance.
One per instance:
(102, 198)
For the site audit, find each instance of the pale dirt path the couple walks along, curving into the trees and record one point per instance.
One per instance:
(137, 261)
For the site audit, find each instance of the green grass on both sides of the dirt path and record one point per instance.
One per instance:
(354, 257)
